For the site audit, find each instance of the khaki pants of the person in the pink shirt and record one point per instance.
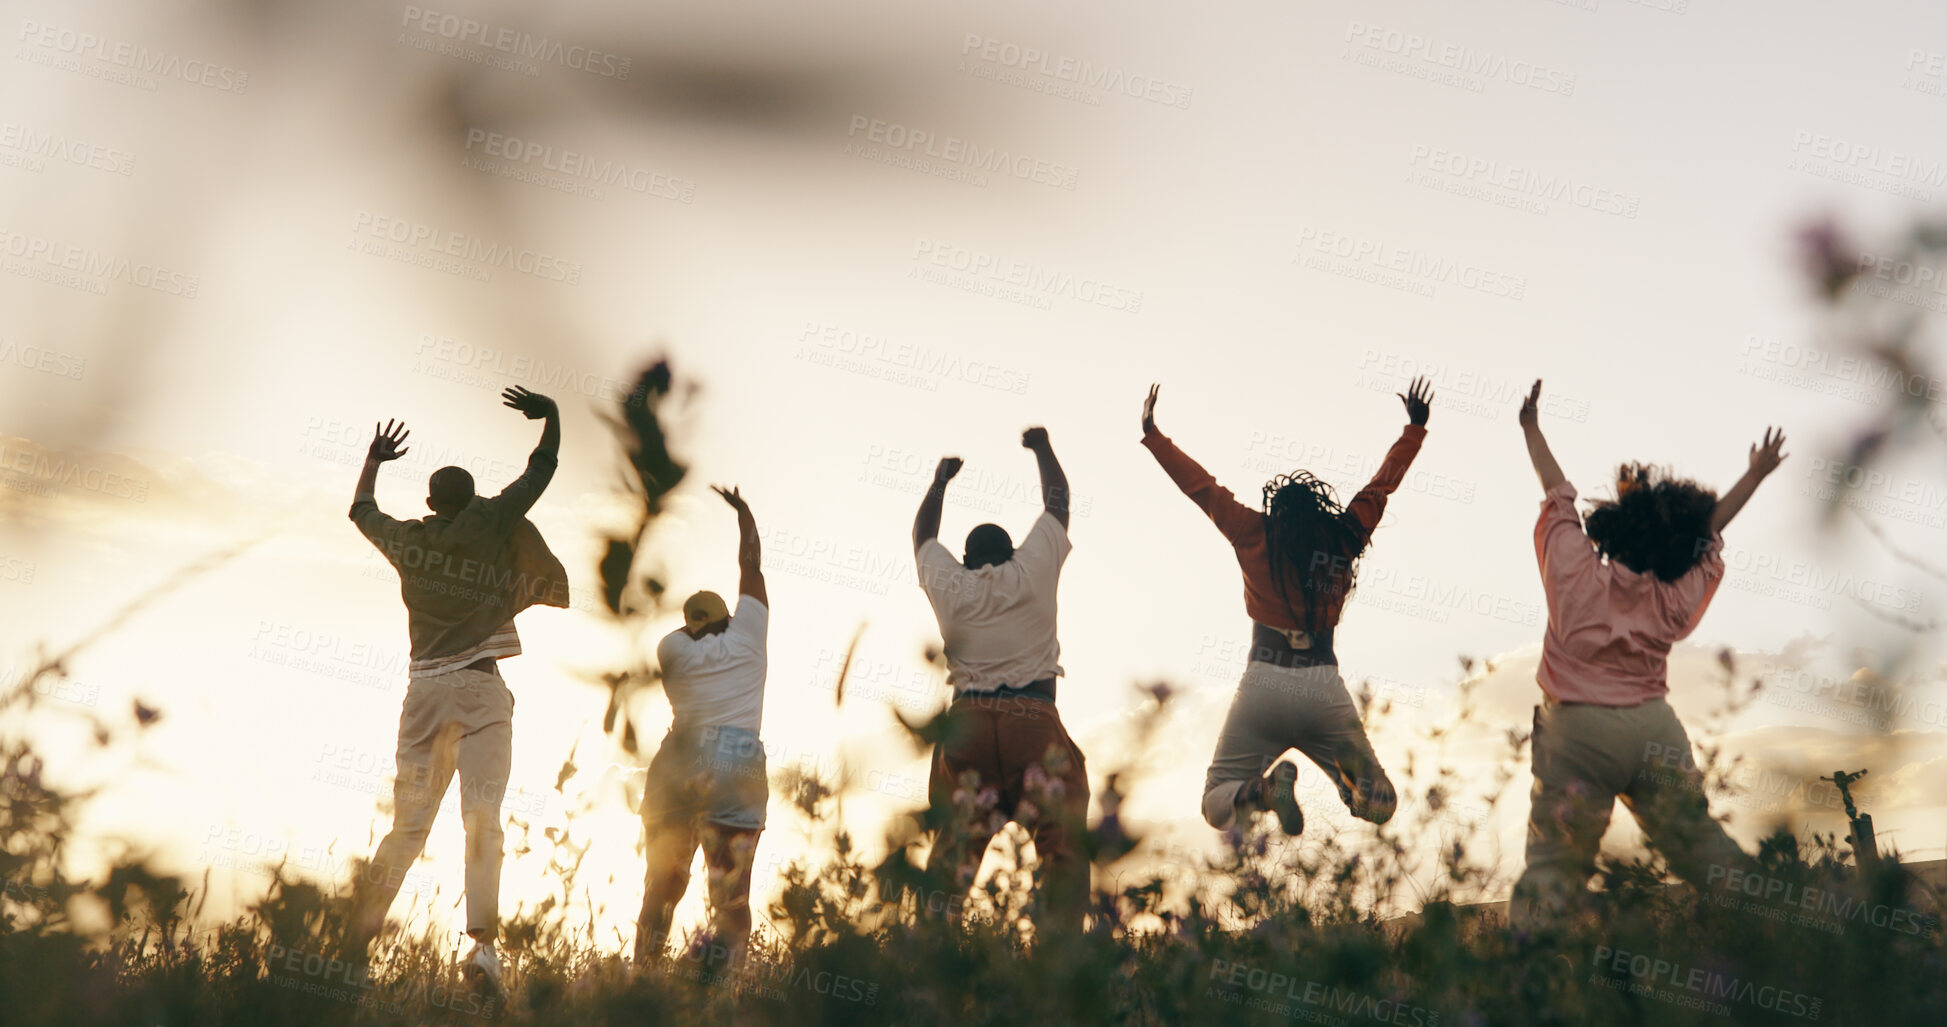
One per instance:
(1588, 757)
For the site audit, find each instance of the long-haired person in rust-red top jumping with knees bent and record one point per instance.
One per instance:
(1302, 558)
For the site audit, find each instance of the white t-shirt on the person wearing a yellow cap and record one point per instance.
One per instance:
(717, 681)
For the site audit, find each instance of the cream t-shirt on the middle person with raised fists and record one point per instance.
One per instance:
(1000, 623)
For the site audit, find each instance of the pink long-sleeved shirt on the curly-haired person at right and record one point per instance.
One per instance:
(1611, 628)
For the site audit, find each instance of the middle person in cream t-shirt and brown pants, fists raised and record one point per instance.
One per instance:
(1004, 753)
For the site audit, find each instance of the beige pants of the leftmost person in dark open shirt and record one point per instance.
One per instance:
(459, 722)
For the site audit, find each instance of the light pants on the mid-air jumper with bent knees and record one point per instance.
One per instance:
(1280, 708)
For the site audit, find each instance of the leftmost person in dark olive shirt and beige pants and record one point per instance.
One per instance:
(464, 574)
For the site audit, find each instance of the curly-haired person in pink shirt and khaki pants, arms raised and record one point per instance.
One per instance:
(1621, 593)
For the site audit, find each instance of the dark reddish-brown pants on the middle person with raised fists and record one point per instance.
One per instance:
(1027, 771)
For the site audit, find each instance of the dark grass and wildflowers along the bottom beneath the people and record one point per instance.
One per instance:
(1274, 932)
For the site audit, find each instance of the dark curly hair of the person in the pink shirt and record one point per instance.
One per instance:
(1658, 523)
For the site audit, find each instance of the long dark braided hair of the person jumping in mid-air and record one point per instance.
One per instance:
(1311, 545)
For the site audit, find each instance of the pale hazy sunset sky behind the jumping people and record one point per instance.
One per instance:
(875, 235)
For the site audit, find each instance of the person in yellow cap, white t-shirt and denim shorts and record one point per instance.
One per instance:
(708, 782)
